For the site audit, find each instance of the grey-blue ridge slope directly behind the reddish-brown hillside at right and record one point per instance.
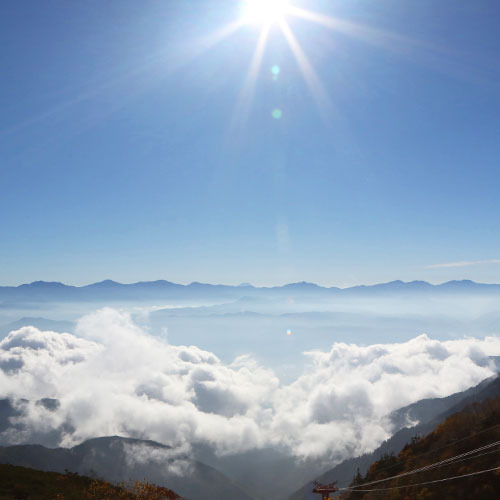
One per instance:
(345, 471)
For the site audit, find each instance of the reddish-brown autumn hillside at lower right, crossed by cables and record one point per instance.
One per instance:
(459, 460)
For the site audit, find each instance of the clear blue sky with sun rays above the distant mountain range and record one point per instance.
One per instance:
(358, 142)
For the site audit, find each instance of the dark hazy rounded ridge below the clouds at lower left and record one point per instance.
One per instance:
(119, 459)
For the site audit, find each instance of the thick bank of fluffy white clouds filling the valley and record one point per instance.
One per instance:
(113, 378)
